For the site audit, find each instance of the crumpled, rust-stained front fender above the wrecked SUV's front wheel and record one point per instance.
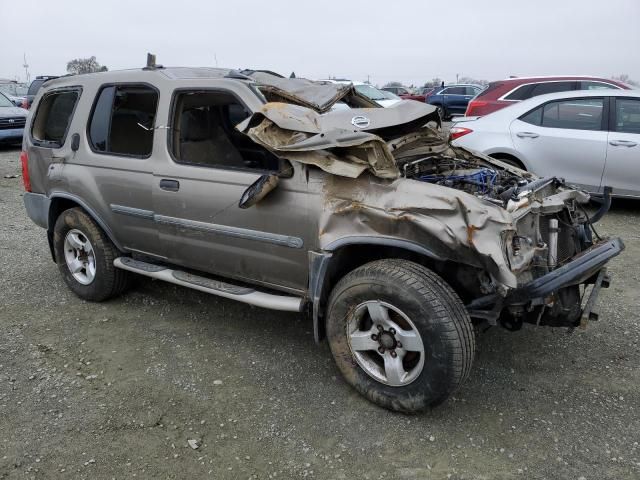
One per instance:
(454, 225)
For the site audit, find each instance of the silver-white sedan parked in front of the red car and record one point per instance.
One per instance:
(589, 138)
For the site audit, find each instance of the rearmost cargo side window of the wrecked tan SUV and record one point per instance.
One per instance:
(53, 117)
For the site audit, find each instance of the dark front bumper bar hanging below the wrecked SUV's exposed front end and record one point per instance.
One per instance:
(584, 267)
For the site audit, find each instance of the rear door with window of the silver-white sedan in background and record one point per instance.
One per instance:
(564, 138)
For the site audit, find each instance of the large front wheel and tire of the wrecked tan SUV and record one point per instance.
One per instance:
(408, 291)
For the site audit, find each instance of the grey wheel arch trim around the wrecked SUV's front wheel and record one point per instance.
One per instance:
(346, 254)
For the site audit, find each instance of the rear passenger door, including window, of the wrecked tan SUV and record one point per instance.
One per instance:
(113, 168)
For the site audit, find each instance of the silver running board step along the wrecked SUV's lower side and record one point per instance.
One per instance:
(208, 285)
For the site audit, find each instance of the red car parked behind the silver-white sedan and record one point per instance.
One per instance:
(503, 93)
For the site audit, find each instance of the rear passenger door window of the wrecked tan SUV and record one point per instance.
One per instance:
(123, 120)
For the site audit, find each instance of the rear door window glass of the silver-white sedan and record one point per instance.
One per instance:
(575, 114)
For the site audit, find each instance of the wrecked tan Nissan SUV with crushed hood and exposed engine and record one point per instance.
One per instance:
(254, 187)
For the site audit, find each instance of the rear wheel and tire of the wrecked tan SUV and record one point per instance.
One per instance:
(75, 234)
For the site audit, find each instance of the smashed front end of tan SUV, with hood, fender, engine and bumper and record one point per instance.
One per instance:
(515, 247)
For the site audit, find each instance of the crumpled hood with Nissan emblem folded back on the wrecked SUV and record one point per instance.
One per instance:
(341, 142)
